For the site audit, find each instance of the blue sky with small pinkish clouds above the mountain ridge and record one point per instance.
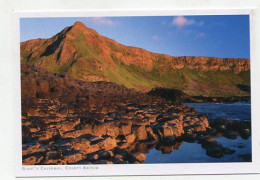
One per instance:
(206, 35)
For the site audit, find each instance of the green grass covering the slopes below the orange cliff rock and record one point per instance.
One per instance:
(90, 64)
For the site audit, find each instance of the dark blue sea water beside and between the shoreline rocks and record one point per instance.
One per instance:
(188, 152)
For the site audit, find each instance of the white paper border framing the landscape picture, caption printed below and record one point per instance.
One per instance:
(137, 169)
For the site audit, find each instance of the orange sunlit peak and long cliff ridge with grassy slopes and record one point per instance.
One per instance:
(80, 52)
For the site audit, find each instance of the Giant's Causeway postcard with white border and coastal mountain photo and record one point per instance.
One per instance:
(134, 93)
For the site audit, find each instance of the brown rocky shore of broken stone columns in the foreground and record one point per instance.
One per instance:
(66, 121)
